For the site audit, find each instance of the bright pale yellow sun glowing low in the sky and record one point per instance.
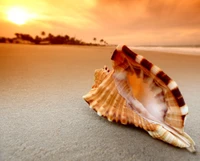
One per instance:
(18, 15)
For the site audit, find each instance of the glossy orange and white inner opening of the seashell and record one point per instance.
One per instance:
(140, 95)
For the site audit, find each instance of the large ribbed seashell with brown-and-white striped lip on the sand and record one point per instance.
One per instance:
(139, 93)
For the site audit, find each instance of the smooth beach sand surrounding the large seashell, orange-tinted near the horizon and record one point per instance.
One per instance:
(43, 115)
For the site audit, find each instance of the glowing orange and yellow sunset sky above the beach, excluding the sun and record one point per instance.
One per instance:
(130, 22)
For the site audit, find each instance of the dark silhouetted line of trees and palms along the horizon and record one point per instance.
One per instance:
(49, 39)
